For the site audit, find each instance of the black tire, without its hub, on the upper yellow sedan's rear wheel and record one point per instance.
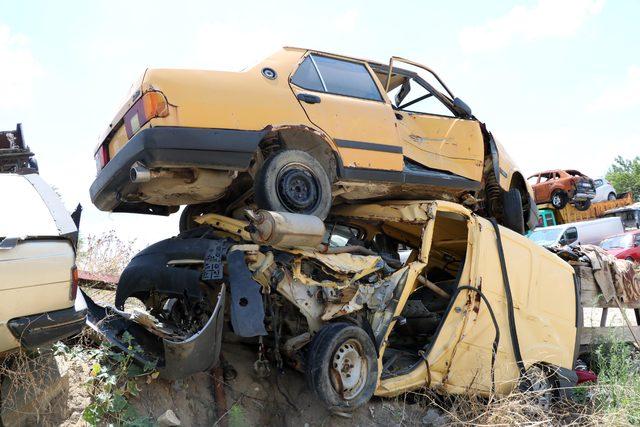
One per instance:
(266, 182)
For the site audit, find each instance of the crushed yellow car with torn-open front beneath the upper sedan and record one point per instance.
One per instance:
(379, 299)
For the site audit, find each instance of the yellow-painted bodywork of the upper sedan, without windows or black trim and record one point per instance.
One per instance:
(247, 100)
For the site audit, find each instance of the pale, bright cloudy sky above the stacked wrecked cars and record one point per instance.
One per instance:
(556, 81)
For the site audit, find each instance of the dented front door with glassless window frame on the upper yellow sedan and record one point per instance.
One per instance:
(431, 133)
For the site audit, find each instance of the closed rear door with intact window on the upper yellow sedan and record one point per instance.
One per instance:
(343, 99)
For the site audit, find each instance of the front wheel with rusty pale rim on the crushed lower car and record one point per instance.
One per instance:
(342, 366)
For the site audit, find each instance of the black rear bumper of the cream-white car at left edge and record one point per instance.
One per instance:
(41, 330)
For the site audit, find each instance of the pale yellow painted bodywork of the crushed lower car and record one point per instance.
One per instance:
(460, 357)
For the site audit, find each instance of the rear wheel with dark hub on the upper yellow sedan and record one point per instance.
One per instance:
(293, 181)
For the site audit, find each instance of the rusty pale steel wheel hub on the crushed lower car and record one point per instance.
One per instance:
(349, 369)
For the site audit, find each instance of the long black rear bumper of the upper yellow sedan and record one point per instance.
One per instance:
(171, 147)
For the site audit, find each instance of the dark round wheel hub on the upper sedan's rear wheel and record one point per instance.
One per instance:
(298, 189)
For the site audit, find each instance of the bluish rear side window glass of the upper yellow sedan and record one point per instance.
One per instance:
(324, 74)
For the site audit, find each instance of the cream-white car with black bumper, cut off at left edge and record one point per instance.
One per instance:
(39, 302)
